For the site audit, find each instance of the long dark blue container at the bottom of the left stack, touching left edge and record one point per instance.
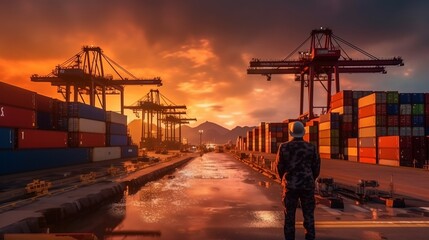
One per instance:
(36, 159)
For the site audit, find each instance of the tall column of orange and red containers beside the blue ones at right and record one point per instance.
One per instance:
(372, 124)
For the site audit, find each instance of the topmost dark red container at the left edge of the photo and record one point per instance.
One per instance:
(17, 97)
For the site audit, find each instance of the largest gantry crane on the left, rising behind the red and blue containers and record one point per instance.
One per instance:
(86, 73)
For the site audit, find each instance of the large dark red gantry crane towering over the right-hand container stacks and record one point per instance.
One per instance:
(325, 59)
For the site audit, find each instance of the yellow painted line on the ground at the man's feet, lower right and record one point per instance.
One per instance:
(369, 224)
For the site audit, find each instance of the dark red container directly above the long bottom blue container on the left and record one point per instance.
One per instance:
(33, 138)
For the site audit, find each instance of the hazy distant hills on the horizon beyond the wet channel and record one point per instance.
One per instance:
(212, 132)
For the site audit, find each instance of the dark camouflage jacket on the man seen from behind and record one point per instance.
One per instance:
(298, 164)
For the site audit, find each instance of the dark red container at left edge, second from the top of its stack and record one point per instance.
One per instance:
(17, 117)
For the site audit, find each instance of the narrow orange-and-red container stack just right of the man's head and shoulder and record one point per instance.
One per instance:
(329, 135)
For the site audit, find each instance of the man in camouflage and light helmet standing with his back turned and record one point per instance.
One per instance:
(298, 166)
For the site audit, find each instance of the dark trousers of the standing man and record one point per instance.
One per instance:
(308, 204)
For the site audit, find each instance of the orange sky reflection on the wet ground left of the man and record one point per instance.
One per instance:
(206, 193)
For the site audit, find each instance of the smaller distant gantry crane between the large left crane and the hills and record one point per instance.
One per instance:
(154, 104)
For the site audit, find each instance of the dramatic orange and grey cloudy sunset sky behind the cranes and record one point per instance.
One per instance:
(201, 48)
